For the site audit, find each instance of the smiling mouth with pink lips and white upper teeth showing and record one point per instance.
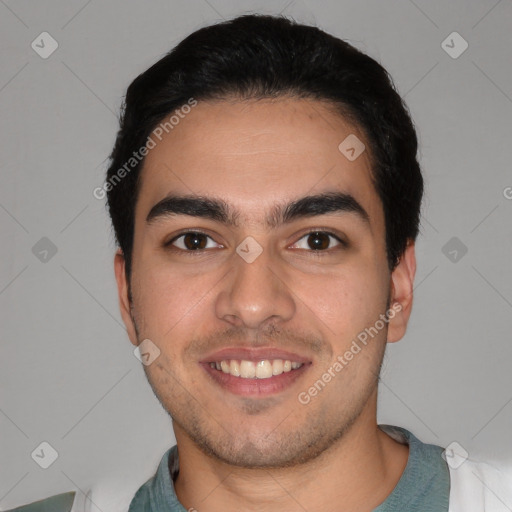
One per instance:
(255, 372)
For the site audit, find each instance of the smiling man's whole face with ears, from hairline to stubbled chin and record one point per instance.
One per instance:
(259, 248)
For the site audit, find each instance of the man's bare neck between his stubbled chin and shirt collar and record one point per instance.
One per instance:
(357, 472)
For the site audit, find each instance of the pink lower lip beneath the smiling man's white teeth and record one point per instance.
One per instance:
(255, 387)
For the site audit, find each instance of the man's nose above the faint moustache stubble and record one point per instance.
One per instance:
(255, 294)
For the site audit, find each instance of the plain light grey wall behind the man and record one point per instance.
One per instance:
(68, 375)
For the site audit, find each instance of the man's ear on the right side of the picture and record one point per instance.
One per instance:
(402, 281)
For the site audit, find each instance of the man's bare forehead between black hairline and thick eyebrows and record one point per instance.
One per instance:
(254, 154)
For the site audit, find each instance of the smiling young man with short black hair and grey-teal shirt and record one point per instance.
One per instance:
(265, 194)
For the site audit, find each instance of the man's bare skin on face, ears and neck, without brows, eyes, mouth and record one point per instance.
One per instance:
(253, 453)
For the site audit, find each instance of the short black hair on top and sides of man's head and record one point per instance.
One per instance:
(260, 56)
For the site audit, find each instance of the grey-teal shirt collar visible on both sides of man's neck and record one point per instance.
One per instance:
(423, 487)
